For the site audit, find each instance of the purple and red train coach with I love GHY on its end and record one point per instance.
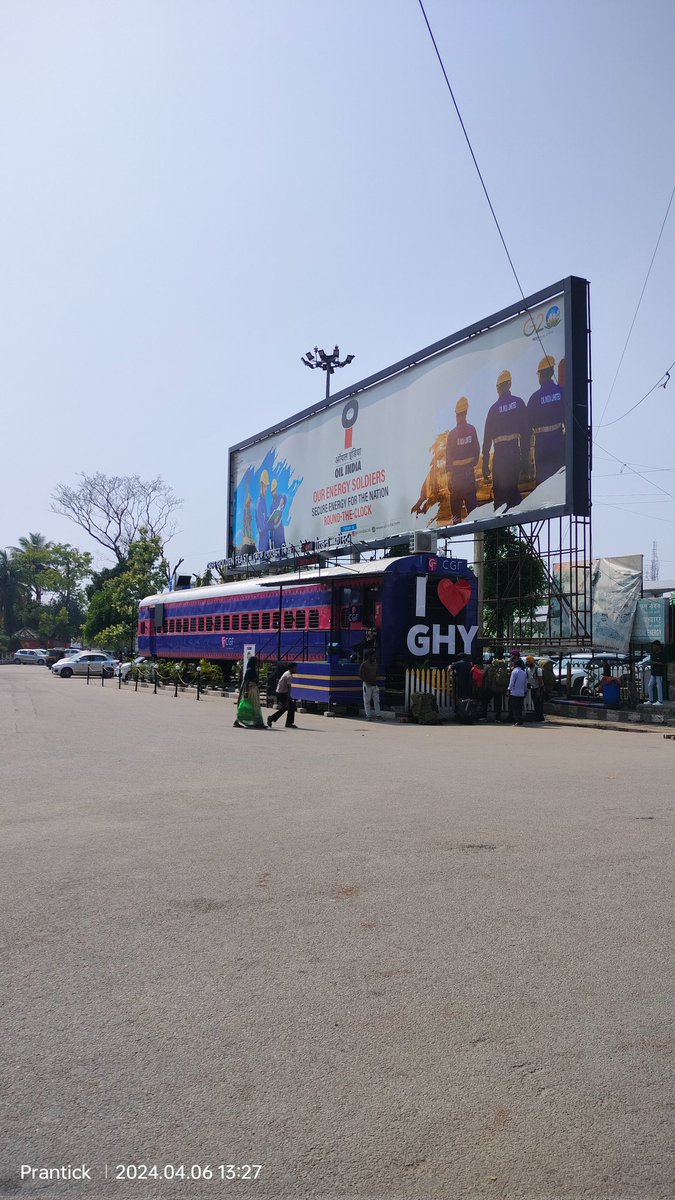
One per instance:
(414, 611)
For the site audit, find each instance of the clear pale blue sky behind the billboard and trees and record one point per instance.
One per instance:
(198, 191)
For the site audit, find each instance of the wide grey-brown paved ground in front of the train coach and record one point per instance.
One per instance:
(386, 963)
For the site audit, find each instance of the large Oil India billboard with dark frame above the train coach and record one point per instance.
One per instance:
(488, 428)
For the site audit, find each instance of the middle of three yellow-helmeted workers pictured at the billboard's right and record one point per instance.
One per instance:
(509, 430)
